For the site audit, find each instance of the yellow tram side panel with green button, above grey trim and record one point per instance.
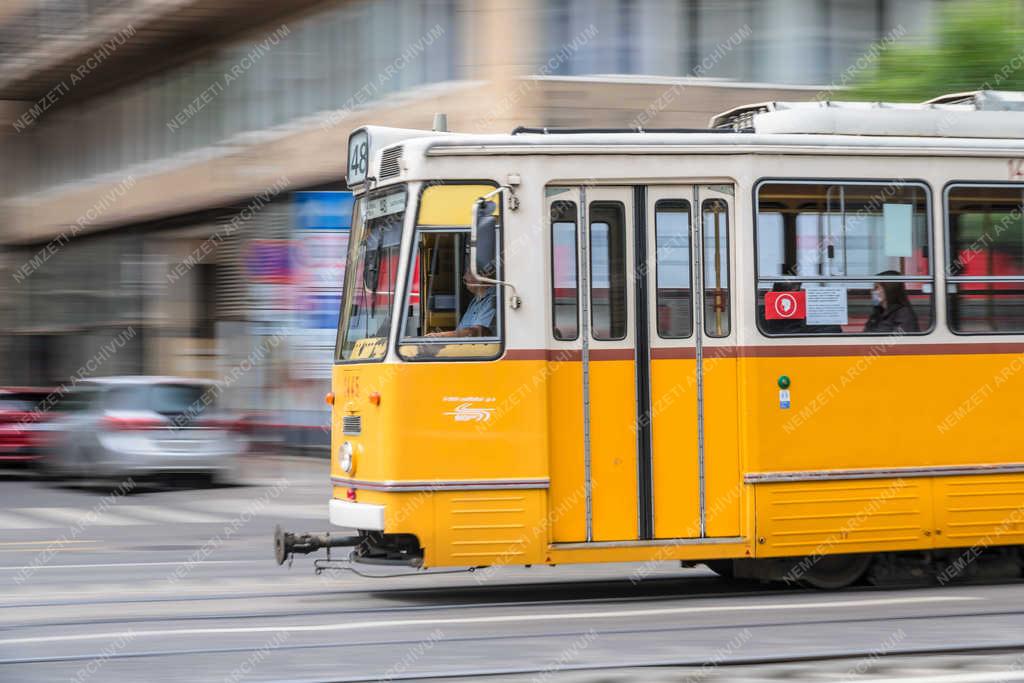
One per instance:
(872, 412)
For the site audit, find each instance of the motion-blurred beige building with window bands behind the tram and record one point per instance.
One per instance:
(173, 202)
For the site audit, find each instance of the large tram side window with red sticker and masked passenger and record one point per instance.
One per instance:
(844, 259)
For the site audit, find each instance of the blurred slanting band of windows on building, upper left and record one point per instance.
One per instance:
(342, 57)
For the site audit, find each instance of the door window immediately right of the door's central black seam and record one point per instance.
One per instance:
(673, 275)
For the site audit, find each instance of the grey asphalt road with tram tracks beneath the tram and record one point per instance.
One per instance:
(181, 585)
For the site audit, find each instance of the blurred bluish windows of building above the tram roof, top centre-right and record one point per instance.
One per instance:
(745, 40)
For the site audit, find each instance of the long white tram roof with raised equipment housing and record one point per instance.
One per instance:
(980, 123)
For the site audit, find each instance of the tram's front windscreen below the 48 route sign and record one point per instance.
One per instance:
(370, 276)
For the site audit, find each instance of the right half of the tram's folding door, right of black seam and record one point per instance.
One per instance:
(694, 401)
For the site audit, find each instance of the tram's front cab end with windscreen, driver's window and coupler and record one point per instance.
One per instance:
(418, 451)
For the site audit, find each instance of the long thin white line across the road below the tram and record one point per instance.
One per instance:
(354, 626)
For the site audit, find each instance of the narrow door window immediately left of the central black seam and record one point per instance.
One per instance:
(608, 269)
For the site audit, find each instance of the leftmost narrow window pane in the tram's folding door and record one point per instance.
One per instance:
(565, 287)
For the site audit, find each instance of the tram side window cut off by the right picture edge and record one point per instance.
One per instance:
(986, 269)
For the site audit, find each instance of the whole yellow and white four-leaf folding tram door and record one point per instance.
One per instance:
(656, 399)
